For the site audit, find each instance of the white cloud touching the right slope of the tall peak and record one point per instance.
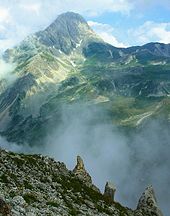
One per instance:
(106, 32)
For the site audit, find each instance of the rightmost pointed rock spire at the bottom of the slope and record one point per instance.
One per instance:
(148, 203)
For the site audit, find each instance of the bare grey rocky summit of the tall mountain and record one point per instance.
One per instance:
(66, 32)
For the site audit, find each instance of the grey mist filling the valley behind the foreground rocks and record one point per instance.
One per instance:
(130, 161)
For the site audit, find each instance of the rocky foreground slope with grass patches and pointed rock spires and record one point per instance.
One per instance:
(38, 185)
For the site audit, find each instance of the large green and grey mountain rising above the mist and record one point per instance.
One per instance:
(68, 63)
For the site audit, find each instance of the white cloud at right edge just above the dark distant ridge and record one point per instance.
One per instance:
(151, 31)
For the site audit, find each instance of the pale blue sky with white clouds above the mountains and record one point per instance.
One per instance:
(120, 22)
